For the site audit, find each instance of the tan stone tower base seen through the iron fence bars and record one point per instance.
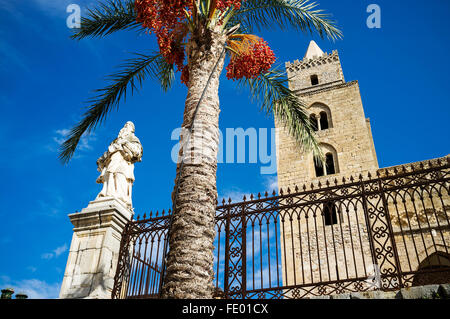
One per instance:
(316, 252)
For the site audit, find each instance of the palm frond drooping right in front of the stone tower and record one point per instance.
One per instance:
(272, 92)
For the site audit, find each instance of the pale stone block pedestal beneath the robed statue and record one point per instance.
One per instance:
(94, 250)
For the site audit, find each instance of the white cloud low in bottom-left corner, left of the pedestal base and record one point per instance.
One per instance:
(34, 288)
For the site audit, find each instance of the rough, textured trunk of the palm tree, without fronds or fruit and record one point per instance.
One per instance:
(189, 272)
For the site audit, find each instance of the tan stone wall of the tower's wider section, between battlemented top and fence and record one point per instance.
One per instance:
(349, 136)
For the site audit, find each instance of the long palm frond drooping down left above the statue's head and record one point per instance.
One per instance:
(131, 75)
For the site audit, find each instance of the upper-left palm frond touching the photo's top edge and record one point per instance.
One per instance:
(108, 17)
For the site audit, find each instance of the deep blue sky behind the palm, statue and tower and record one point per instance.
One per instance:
(45, 78)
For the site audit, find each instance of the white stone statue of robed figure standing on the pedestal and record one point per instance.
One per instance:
(117, 165)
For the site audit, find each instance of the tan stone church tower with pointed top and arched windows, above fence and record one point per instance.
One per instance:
(336, 111)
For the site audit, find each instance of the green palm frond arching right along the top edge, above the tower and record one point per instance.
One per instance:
(302, 15)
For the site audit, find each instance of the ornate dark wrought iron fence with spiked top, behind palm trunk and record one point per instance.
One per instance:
(383, 232)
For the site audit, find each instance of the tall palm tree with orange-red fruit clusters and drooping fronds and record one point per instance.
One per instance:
(205, 31)
